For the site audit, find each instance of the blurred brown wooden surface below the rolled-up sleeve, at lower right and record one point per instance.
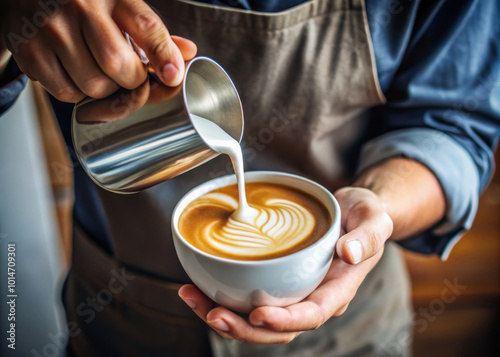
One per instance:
(466, 323)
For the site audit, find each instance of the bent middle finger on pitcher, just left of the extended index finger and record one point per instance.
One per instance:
(111, 51)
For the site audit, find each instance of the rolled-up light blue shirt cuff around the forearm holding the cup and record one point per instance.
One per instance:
(454, 169)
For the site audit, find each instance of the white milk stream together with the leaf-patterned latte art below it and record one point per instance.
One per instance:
(254, 230)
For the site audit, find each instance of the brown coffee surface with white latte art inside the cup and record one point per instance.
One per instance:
(287, 220)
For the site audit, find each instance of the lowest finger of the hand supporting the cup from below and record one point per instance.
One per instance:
(238, 328)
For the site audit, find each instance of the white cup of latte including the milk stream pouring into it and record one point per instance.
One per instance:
(271, 245)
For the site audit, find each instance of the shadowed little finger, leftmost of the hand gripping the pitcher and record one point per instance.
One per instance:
(48, 71)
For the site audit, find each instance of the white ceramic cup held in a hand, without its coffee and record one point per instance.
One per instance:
(244, 285)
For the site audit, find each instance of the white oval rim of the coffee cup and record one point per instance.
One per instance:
(230, 179)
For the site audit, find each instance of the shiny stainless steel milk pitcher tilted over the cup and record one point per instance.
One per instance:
(135, 139)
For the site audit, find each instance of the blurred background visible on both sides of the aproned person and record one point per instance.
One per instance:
(456, 303)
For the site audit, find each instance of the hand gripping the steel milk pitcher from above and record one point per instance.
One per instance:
(76, 48)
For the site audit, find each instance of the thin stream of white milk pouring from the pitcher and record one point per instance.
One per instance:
(224, 143)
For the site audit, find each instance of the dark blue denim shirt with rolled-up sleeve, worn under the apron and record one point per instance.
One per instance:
(438, 64)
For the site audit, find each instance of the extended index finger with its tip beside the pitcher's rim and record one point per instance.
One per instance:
(148, 31)
